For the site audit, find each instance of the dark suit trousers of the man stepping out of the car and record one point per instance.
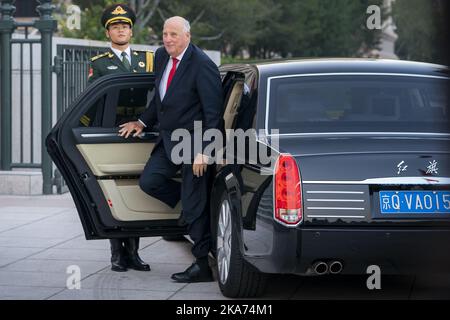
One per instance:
(157, 181)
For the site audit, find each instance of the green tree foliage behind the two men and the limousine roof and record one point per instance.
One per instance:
(252, 28)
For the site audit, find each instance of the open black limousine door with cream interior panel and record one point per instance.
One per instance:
(102, 169)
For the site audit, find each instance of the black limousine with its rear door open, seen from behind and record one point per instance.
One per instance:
(359, 170)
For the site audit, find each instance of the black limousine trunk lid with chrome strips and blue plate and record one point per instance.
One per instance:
(345, 178)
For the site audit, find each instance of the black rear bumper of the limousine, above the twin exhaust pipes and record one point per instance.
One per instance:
(395, 251)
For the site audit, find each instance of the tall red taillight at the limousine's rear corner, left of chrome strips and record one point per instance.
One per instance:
(288, 191)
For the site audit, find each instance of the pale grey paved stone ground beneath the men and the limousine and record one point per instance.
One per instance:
(41, 236)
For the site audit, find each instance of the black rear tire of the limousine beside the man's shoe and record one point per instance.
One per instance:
(243, 280)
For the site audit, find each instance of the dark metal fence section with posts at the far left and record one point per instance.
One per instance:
(46, 25)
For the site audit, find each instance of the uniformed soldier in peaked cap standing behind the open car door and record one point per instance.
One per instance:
(118, 21)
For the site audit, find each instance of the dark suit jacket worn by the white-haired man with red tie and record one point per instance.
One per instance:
(195, 94)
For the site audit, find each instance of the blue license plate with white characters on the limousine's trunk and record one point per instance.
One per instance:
(415, 202)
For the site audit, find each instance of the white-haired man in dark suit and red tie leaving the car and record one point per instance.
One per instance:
(188, 89)
